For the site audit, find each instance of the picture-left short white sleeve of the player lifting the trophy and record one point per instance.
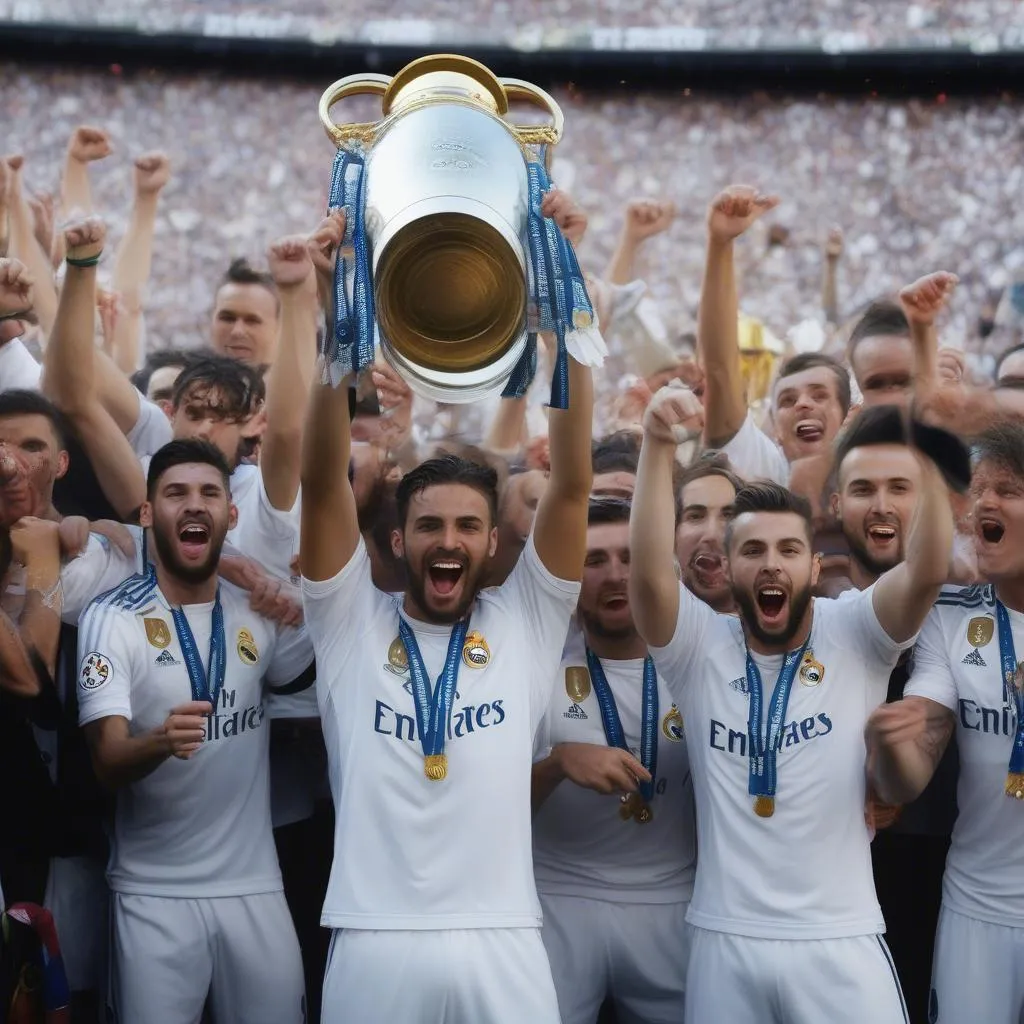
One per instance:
(342, 611)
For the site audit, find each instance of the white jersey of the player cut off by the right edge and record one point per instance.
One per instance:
(957, 664)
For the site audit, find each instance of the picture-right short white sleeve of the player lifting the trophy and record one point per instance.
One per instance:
(546, 605)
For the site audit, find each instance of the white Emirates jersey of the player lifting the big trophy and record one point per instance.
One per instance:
(411, 854)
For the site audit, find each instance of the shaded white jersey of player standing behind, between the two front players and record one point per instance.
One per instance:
(582, 847)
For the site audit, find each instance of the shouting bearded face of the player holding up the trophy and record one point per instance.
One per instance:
(447, 543)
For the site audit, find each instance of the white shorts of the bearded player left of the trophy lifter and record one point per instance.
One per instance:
(168, 955)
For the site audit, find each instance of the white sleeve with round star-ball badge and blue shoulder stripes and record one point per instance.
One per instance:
(106, 664)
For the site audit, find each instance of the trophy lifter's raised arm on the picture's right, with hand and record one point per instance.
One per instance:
(561, 526)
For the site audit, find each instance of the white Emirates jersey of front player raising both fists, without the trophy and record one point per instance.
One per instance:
(806, 872)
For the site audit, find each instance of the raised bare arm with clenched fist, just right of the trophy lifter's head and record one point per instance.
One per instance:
(673, 417)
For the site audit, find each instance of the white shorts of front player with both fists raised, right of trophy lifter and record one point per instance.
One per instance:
(792, 982)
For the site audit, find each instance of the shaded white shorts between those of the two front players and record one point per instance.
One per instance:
(635, 954)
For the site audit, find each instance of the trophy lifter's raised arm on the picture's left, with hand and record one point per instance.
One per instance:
(330, 530)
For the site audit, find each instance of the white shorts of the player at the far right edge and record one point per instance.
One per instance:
(978, 972)
